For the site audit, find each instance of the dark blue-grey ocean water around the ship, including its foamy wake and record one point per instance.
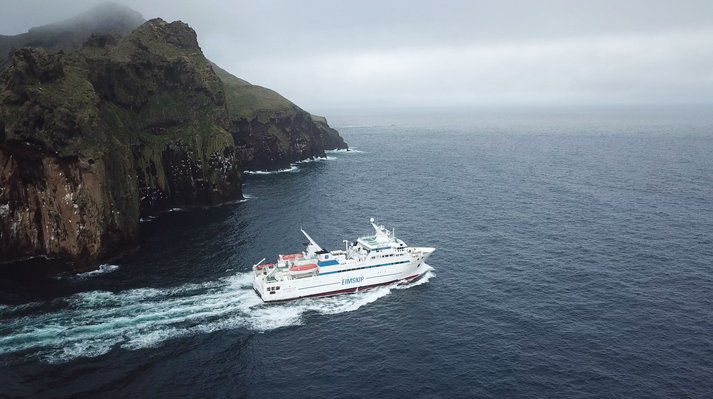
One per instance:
(574, 259)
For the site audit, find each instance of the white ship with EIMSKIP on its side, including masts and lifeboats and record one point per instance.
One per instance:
(370, 261)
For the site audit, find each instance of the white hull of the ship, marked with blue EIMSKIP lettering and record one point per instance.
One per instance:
(347, 277)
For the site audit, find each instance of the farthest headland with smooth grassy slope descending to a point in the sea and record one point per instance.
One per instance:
(270, 131)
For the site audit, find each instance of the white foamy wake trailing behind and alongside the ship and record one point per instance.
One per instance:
(92, 323)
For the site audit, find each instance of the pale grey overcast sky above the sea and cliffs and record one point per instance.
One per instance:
(410, 53)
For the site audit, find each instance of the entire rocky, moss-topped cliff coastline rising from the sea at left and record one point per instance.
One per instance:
(92, 139)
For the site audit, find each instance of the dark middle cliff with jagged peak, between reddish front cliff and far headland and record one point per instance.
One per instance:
(162, 97)
